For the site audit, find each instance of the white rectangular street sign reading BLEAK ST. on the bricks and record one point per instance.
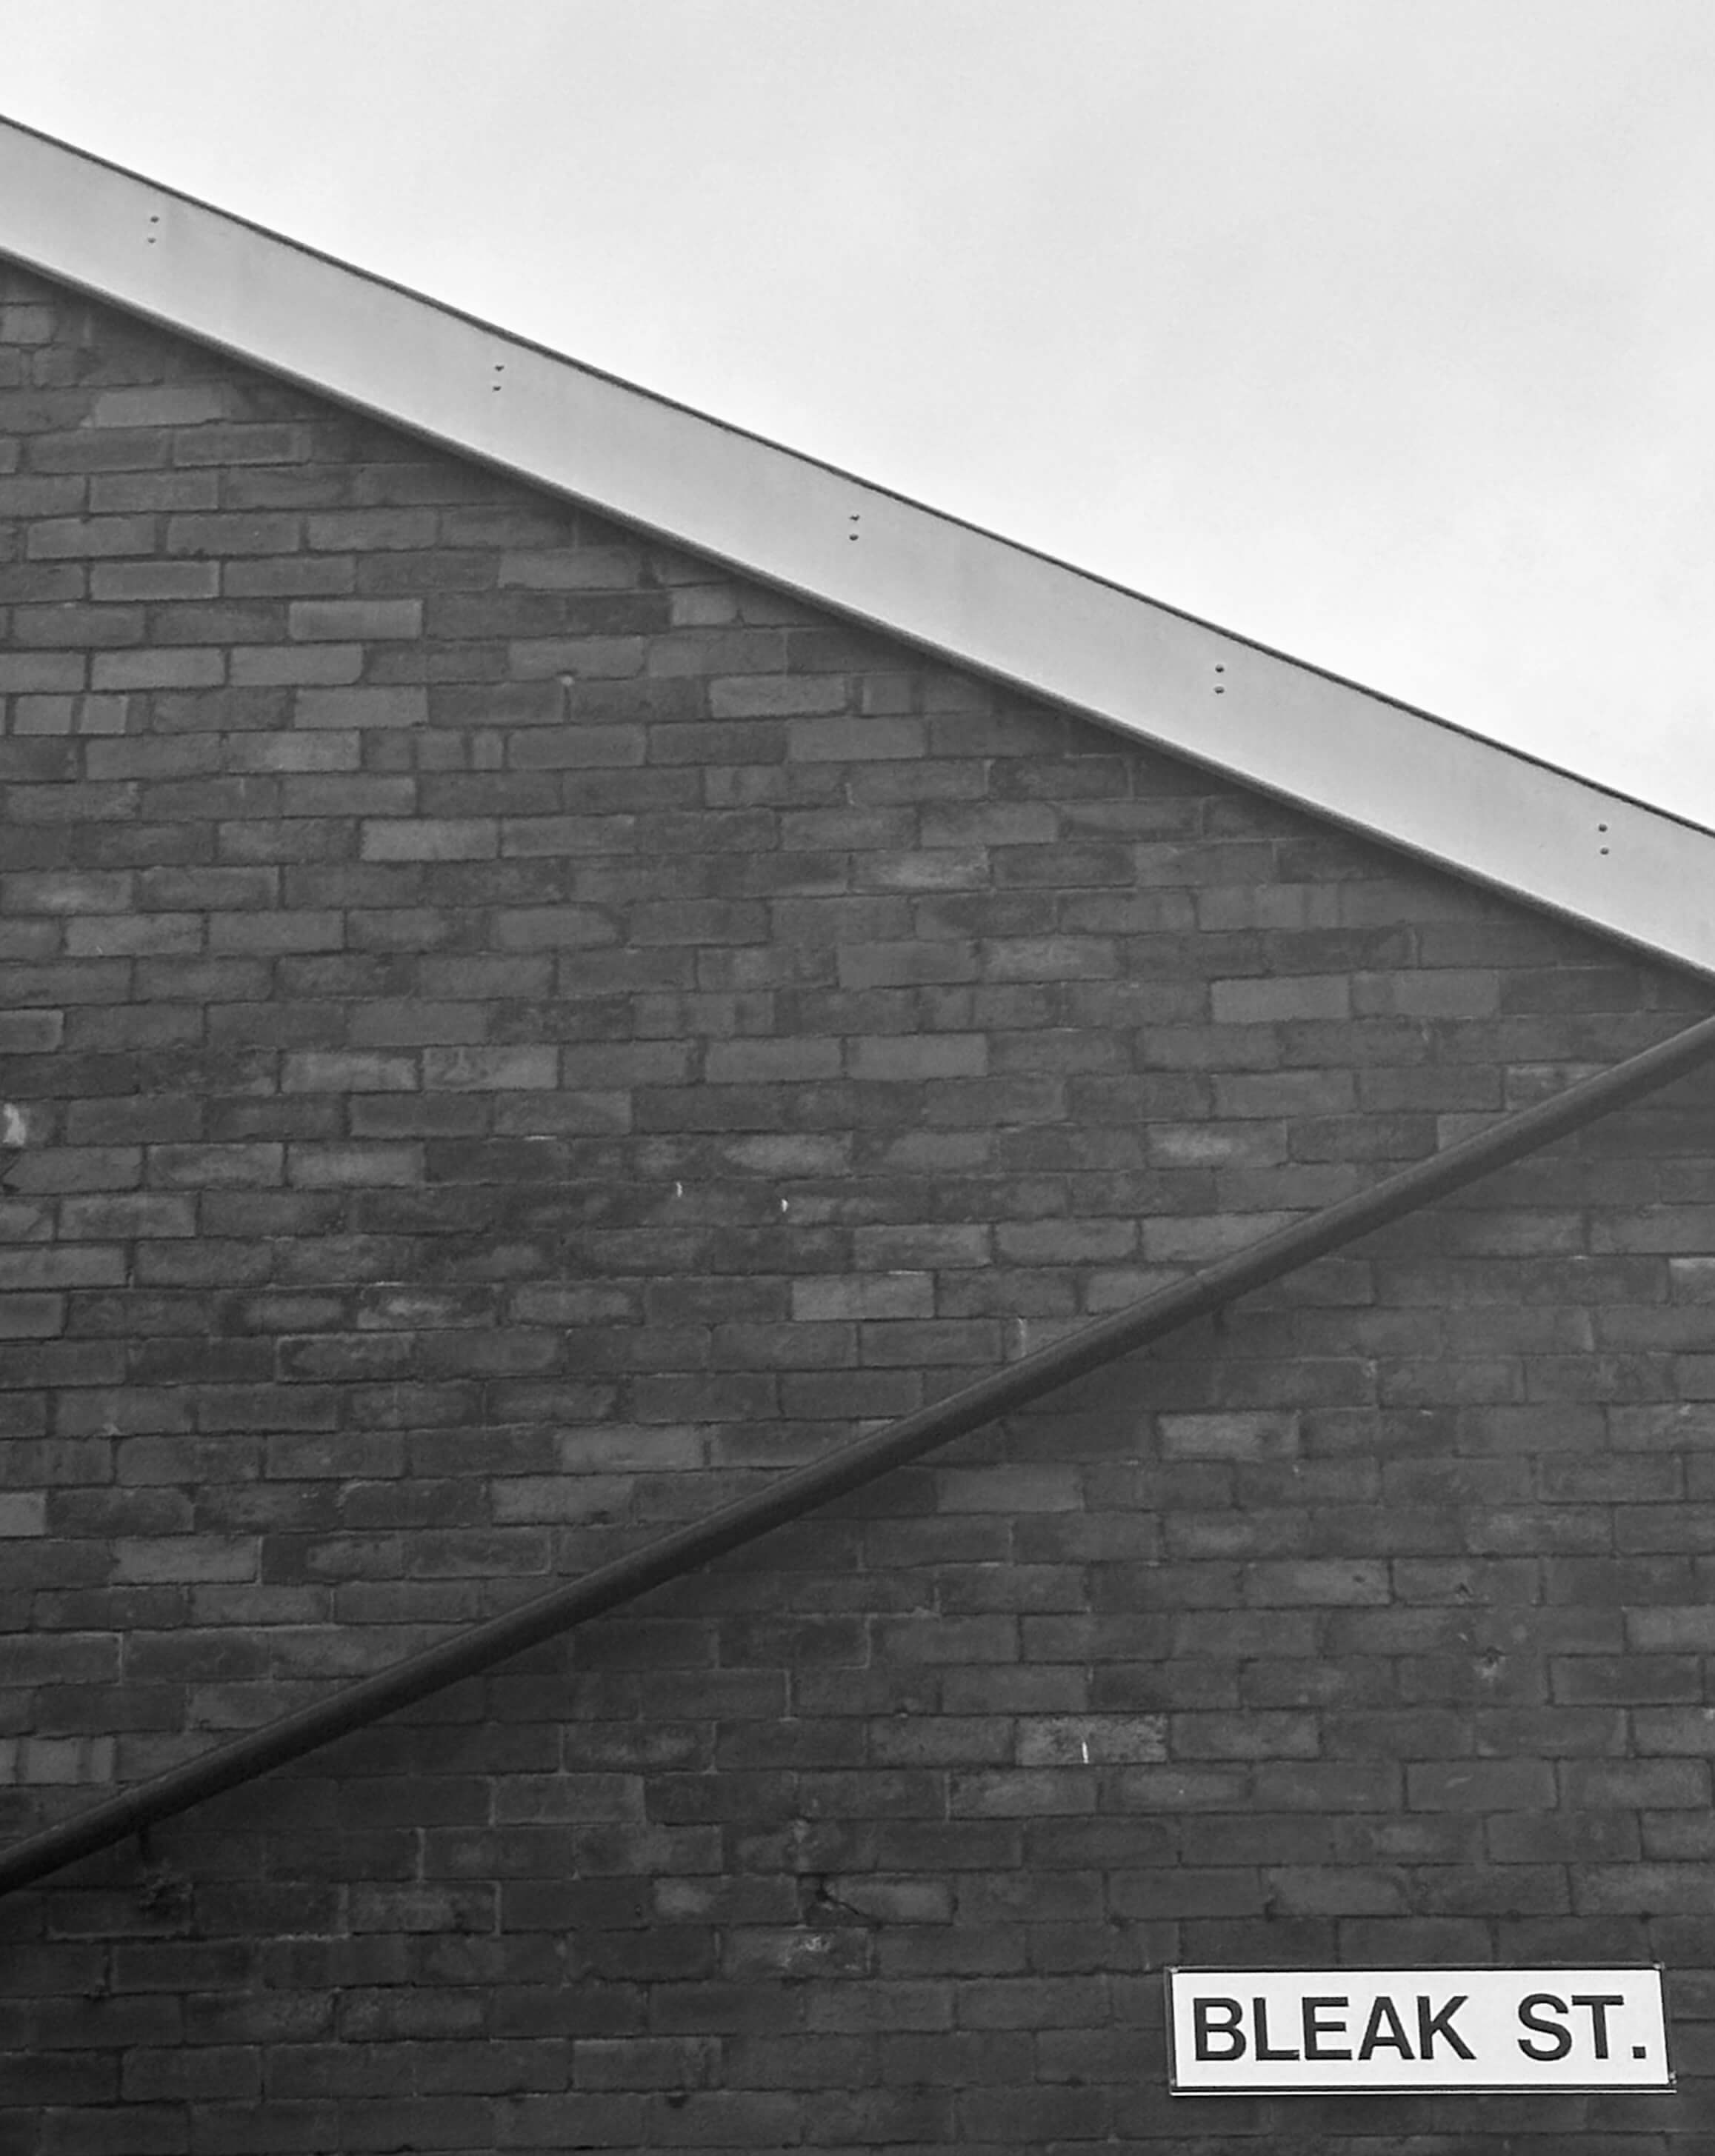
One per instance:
(1300, 2032)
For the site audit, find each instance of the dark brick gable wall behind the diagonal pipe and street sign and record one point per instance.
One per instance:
(512, 1036)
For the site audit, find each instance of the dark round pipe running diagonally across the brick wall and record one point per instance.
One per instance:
(851, 1467)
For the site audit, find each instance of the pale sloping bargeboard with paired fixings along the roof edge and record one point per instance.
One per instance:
(983, 603)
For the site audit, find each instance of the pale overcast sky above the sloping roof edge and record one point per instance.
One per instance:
(1382, 331)
